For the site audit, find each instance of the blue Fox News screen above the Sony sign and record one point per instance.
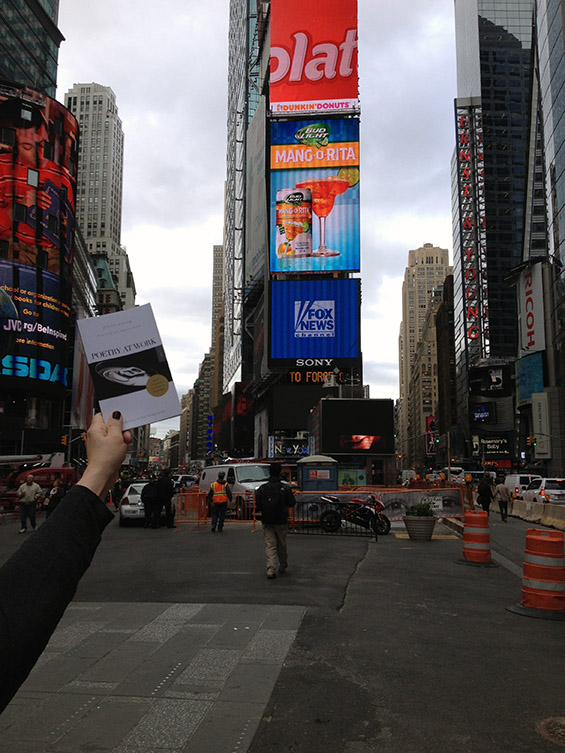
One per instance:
(314, 319)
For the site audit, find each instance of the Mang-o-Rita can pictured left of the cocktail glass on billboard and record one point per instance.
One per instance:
(294, 222)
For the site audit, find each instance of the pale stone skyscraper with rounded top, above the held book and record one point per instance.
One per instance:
(100, 180)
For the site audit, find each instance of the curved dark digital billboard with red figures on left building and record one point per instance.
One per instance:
(38, 159)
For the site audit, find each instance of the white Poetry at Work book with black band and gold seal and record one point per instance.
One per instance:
(128, 366)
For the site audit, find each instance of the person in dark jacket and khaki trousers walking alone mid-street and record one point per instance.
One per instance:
(272, 500)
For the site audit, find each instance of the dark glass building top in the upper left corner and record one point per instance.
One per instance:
(29, 43)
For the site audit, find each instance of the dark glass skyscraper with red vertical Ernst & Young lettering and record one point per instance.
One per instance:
(490, 189)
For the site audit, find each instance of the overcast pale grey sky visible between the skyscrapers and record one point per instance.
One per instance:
(167, 64)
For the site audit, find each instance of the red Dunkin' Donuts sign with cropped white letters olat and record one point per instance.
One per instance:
(313, 57)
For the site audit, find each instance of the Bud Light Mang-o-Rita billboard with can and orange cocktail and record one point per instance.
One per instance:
(314, 196)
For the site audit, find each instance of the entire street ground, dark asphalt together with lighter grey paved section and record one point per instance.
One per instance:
(177, 641)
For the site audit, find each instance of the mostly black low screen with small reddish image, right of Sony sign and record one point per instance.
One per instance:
(357, 426)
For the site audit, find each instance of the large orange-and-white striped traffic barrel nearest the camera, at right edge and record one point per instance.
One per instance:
(543, 575)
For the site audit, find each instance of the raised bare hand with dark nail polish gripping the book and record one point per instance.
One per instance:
(106, 447)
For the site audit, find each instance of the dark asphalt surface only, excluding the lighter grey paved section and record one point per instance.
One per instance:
(401, 649)
